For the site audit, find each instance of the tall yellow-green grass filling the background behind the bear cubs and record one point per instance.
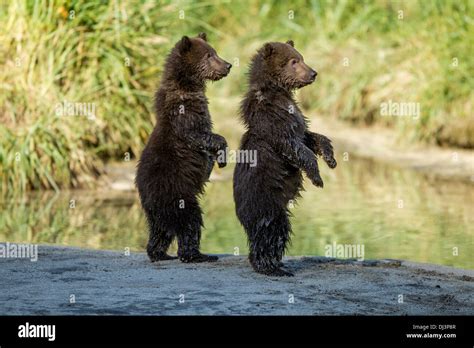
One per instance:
(111, 54)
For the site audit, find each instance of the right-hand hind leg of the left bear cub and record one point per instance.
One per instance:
(189, 237)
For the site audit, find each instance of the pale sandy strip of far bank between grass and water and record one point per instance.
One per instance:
(372, 143)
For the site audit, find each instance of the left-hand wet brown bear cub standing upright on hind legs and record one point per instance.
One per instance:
(180, 154)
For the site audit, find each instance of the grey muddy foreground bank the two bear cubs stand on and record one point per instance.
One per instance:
(111, 283)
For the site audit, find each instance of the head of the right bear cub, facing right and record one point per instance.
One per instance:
(283, 65)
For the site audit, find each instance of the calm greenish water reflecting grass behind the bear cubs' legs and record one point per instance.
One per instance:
(393, 213)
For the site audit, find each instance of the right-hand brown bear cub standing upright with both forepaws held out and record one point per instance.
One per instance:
(278, 131)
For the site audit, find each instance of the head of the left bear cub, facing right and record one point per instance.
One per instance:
(201, 59)
